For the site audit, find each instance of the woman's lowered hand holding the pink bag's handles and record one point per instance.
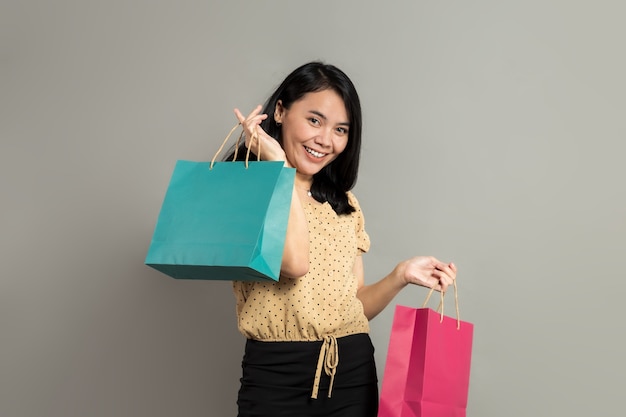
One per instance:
(428, 271)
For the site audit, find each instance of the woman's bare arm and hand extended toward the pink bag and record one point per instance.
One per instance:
(426, 271)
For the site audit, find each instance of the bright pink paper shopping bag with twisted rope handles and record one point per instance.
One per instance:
(427, 369)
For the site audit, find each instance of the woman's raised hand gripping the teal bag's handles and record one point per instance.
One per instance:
(270, 148)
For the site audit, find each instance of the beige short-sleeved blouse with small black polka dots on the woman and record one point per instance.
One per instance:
(321, 303)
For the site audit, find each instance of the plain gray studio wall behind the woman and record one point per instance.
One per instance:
(494, 137)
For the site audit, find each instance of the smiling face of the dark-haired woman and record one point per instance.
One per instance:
(314, 131)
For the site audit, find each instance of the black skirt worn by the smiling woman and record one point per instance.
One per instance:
(278, 380)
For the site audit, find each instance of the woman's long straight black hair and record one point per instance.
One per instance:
(336, 178)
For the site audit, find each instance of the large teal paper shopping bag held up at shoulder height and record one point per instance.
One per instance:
(223, 221)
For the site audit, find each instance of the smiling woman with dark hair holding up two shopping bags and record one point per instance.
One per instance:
(308, 352)
